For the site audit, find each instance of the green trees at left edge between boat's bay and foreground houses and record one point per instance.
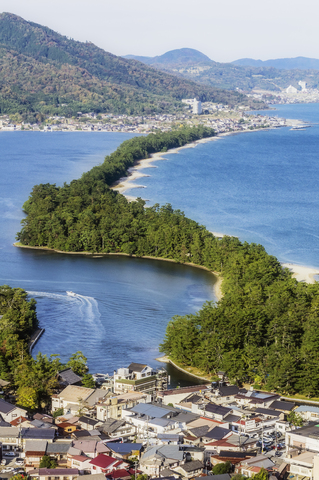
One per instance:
(32, 379)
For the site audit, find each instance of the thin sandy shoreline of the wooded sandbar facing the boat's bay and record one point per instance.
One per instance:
(216, 287)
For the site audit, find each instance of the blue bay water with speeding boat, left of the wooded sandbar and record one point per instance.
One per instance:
(123, 305)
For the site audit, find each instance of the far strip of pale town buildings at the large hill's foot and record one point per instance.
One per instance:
(221, 118)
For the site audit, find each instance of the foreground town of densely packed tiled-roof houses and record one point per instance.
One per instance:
(132, 426)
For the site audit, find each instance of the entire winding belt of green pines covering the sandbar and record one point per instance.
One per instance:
(265, 328)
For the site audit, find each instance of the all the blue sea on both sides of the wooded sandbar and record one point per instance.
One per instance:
(259, 186)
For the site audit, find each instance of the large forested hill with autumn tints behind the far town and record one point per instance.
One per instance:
(43, 71)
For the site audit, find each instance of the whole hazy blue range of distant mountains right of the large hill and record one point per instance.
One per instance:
(245, 74)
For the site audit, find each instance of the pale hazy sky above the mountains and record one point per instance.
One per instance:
(224, 30)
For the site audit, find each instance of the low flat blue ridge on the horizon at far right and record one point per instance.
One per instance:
(300, 63)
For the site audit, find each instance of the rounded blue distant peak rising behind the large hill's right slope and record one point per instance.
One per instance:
(181, 56)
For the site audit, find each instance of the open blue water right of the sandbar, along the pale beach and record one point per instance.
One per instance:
(260, 186)
